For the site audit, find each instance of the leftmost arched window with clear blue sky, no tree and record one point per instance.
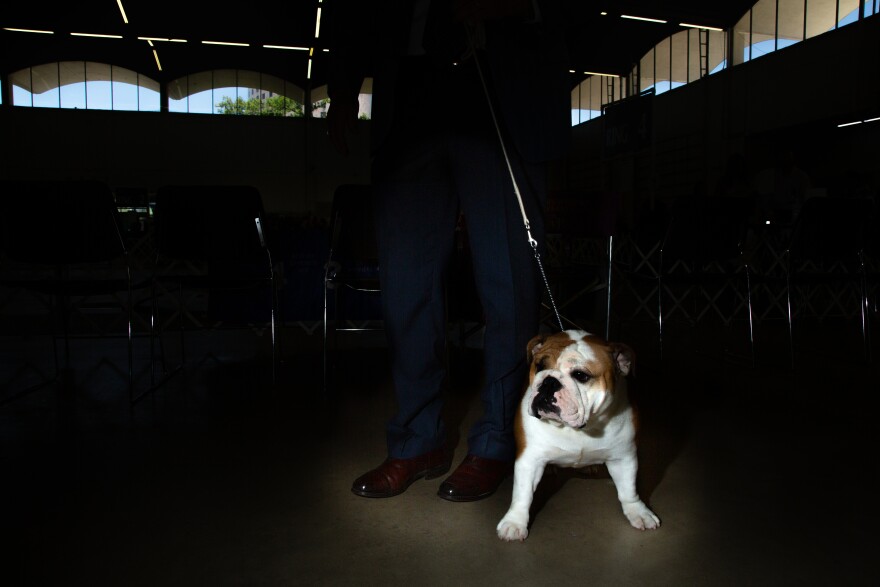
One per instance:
(84, 85)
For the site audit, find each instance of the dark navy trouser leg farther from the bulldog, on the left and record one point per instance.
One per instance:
(416, 211)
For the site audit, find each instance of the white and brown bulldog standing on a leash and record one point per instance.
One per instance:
(574, 413)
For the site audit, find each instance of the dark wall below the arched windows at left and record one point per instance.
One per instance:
(290, 160)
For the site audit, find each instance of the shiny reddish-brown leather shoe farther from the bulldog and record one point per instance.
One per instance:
(394, 475)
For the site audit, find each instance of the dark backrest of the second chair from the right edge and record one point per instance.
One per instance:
(706, 229)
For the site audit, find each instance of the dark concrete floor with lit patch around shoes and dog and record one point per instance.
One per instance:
(759, 477)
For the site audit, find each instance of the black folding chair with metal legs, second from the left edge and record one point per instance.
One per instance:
(212, 256)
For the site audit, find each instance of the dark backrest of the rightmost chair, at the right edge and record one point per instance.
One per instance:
(831, 228)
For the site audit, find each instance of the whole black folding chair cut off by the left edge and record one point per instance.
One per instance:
(61, 241)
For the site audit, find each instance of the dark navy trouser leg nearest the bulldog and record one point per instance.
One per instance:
(507, 281)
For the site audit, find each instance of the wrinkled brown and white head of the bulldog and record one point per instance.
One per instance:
(573, 375)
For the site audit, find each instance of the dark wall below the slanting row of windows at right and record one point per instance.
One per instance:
(788, 100)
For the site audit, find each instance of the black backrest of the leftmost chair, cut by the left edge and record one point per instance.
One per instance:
(59, 222)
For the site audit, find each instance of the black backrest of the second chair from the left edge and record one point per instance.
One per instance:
(217, 224)
